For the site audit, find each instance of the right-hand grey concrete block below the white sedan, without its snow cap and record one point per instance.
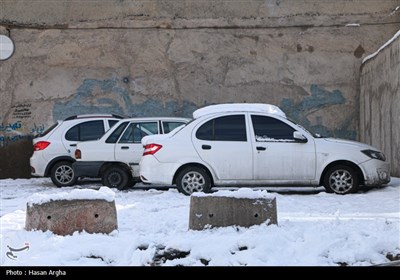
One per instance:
(220, 211)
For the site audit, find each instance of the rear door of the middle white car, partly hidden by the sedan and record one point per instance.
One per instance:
(129, 148)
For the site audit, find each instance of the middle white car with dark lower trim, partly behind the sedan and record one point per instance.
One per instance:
(115, 156)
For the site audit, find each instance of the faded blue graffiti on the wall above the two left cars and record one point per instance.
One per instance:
(83, 102)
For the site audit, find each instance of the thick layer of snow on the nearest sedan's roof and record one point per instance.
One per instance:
(239, 107)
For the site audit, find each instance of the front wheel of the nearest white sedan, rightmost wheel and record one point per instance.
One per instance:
(341, 179)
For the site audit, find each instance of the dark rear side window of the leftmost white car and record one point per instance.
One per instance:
(86, 131)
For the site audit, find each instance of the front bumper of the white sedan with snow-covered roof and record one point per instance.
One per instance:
(376, 172)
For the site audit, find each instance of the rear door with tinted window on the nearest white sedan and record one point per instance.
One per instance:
(223, 143)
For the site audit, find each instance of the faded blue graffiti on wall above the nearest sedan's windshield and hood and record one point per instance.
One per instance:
(320, 98)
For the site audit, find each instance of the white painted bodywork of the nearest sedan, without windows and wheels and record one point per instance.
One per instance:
(239, 163)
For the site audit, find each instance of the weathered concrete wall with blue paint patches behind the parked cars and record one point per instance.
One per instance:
(171, 57)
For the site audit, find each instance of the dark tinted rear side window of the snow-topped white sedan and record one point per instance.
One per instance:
(228, 128)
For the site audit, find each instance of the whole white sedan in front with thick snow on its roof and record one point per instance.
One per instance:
(255, 144)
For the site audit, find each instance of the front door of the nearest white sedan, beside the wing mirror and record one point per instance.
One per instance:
(277, 156)
